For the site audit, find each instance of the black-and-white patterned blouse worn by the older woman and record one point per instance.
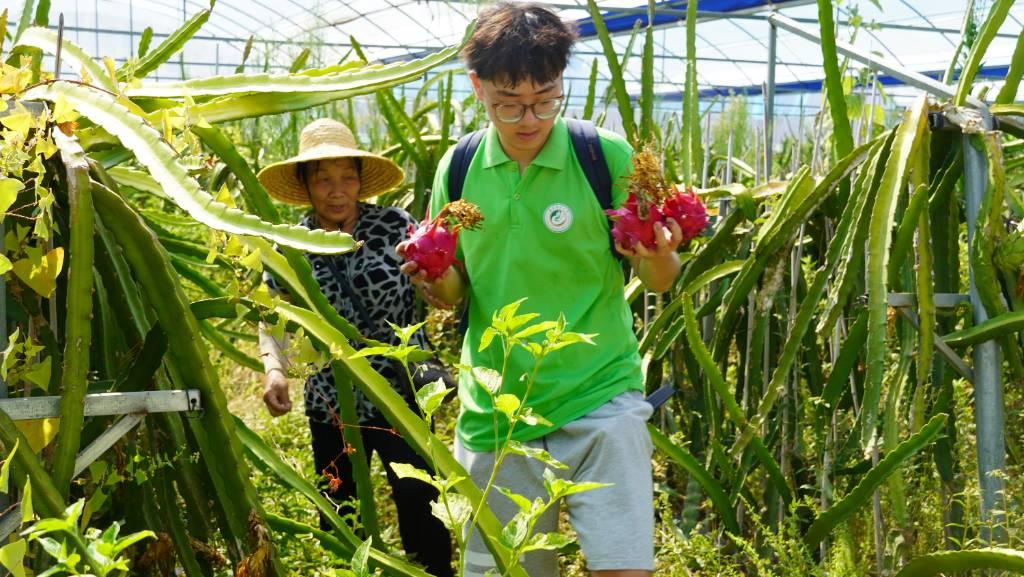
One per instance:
(387, 295)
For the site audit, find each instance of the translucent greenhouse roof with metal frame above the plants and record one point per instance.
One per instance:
(733, 35)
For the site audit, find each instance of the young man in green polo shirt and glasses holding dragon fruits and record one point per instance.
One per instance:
(545, 238)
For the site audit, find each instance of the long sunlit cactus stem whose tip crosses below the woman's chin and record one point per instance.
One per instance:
(161, 160)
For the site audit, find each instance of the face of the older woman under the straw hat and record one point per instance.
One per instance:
(334, 191)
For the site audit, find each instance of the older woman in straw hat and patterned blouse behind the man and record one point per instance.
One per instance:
(334, 177)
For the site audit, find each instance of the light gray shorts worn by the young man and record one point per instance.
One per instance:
(615, 525)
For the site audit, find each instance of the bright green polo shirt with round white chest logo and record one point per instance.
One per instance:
(544, 238)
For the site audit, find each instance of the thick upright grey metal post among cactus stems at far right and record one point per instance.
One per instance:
(988, 386)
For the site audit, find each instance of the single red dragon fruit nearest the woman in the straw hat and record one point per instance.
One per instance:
(432, 245)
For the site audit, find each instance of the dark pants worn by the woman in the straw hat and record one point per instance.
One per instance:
(423, 535)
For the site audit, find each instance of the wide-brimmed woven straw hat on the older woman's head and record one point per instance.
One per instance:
(326, 139)
